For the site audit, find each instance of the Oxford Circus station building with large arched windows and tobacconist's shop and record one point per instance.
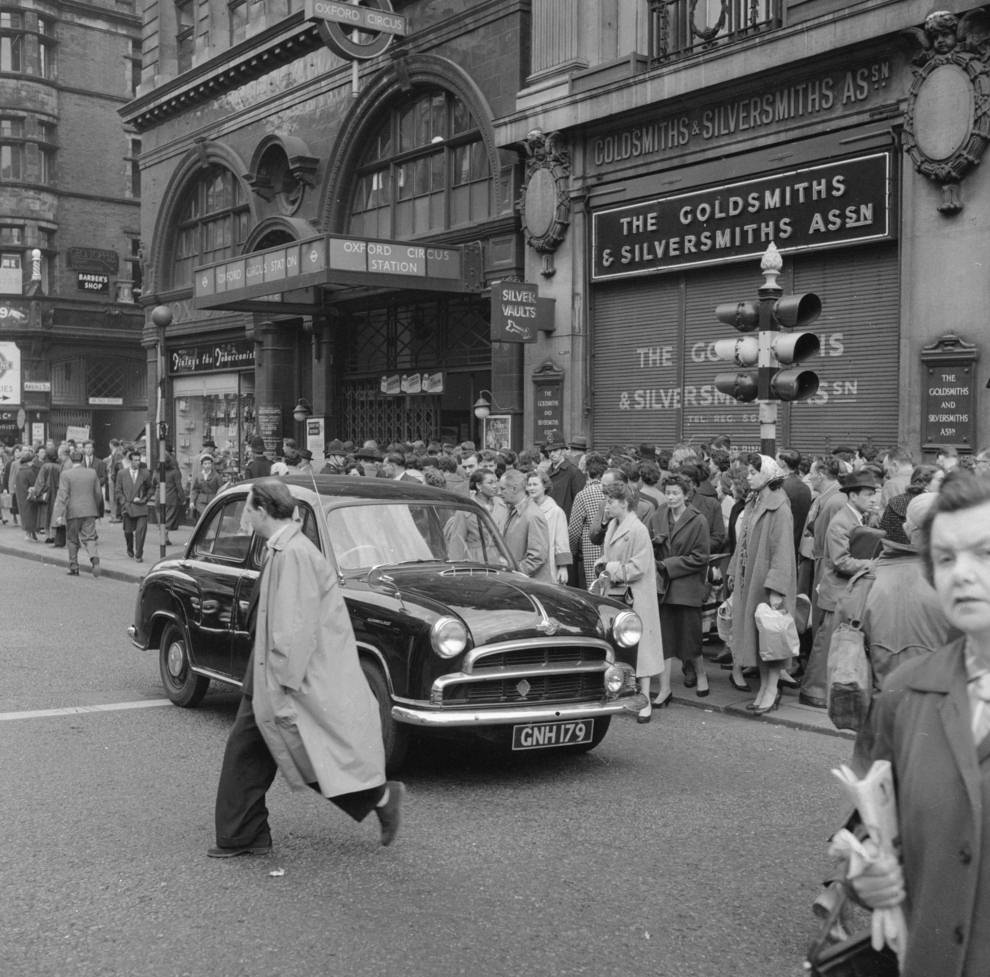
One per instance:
(257, 135)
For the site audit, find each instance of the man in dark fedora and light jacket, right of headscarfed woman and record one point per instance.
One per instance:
(838, 565)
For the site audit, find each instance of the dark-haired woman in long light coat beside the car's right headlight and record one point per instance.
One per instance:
(627, 558)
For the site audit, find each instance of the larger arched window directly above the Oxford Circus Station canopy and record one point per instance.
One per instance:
(425, 170)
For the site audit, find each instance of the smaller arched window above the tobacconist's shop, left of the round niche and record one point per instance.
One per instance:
(212, 224)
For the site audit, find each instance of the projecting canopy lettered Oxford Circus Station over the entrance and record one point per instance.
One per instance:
(295, 278)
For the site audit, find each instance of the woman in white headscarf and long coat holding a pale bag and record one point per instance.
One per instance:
(763, 570)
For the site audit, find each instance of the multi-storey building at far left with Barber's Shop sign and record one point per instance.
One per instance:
(70, 234)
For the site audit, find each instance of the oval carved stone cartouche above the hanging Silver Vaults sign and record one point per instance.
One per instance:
(544, 204)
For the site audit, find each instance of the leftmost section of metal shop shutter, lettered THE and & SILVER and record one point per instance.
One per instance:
(636, 371)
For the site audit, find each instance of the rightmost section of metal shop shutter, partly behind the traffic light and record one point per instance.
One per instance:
(859, 329)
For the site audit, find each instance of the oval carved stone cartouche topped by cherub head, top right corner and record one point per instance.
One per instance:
(947, 122)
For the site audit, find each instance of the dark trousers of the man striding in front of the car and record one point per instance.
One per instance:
(247, 773)
